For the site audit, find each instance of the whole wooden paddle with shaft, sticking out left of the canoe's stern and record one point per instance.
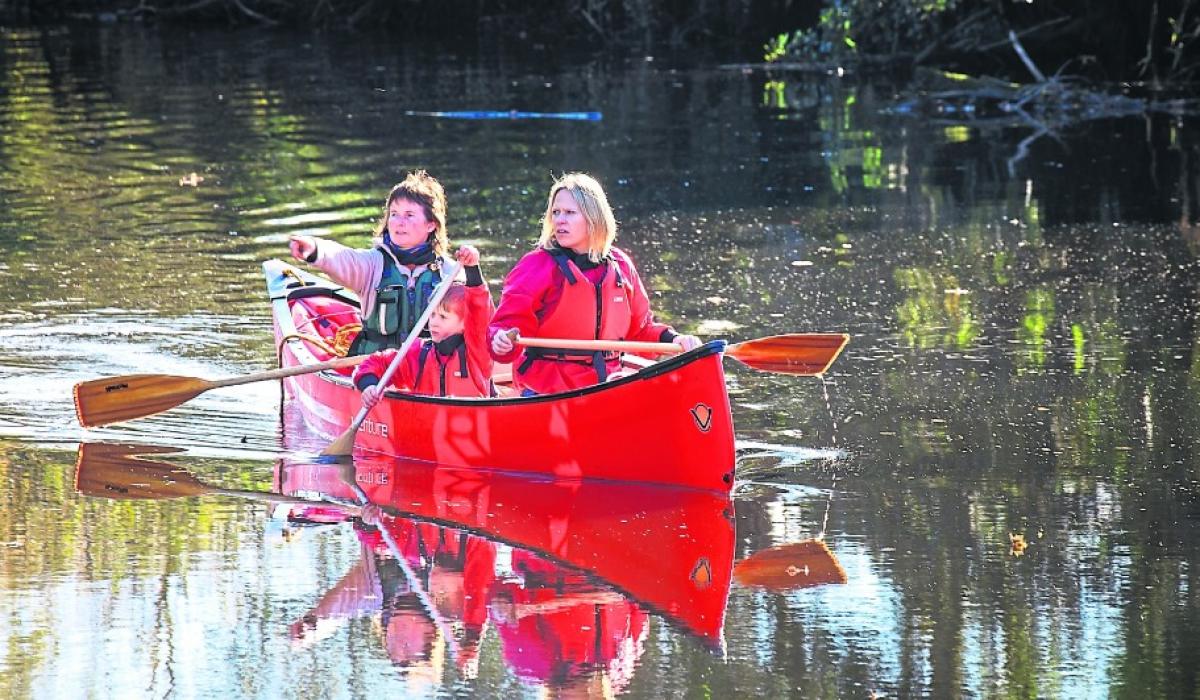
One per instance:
(116, 399)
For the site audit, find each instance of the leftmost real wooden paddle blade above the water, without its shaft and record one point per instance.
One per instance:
(117, 399)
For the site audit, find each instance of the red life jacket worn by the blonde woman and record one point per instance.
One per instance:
(586, 312)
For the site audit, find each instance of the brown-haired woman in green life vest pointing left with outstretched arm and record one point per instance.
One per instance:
(397, 277)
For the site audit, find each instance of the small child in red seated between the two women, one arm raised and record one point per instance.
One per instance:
(454, 362)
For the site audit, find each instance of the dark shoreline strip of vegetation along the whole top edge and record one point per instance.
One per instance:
(1153, 44)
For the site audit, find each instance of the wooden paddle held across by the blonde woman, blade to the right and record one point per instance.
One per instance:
(805, 355)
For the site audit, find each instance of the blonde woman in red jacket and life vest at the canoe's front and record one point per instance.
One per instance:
(574, 285)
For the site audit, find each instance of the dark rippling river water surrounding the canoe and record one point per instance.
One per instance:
(1023, 366)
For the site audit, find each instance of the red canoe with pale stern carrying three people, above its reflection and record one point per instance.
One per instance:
(667, 424)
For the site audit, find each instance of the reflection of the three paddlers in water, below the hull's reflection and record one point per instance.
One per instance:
(556, 627)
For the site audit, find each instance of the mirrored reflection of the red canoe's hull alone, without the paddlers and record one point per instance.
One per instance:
(670, 551)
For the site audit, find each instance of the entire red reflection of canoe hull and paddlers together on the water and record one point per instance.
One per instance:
(568, 573)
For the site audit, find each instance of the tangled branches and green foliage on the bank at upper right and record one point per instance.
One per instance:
(1107, 41)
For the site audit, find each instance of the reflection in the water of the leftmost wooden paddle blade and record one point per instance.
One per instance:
(116, 471)
